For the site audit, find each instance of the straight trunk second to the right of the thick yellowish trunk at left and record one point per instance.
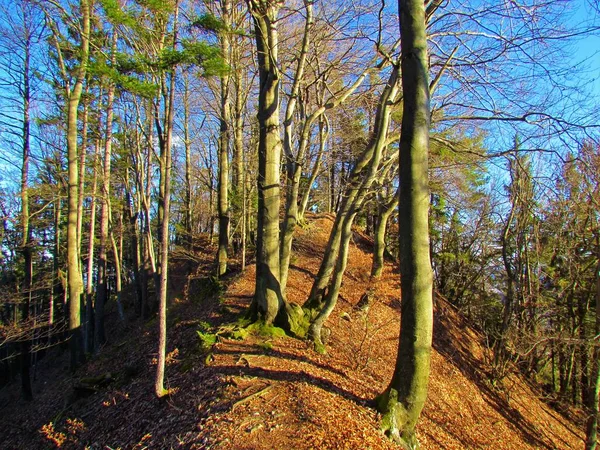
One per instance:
(103, 244)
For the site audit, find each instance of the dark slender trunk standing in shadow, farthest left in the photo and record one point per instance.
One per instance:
(25, 226)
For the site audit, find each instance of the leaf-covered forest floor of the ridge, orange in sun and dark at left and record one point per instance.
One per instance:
(278, 393)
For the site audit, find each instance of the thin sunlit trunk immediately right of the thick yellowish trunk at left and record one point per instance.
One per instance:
(89, 289)
